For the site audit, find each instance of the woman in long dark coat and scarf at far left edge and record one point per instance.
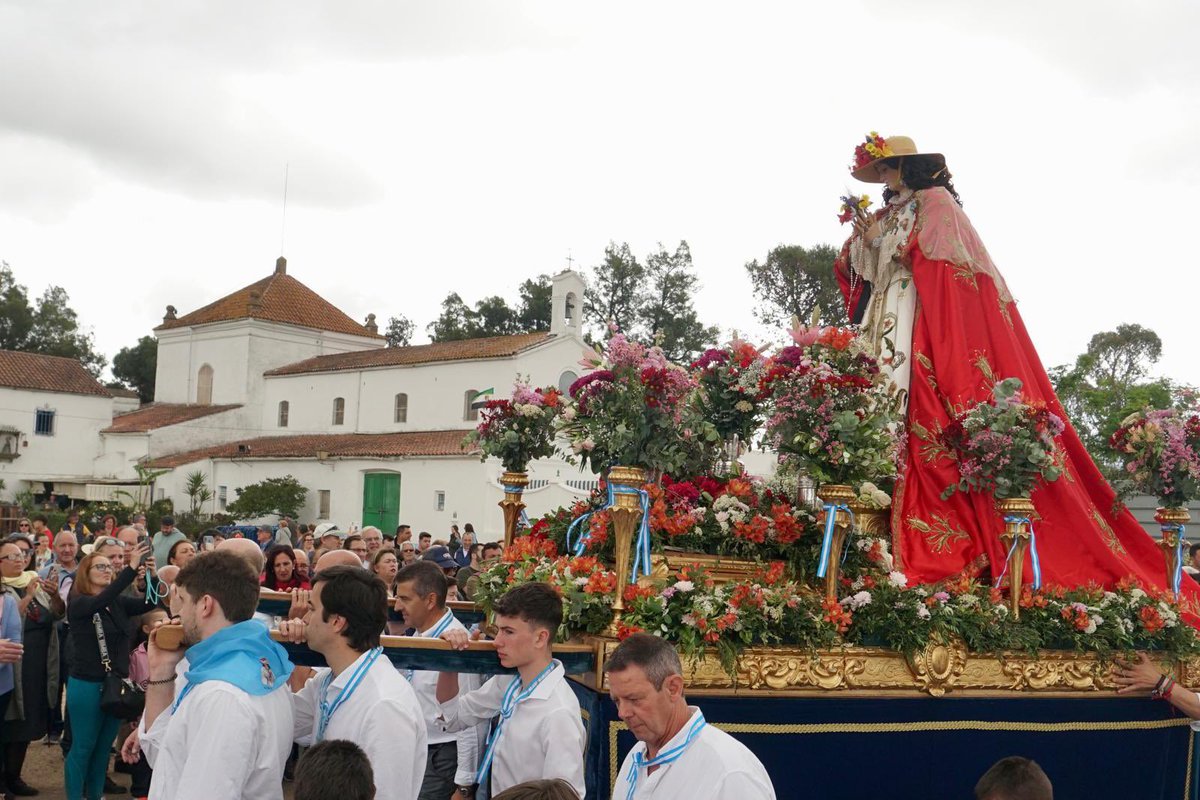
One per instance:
(38, 673)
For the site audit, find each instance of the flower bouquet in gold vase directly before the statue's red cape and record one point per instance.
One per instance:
(1005, 447)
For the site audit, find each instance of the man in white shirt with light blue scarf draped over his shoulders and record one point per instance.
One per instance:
(229, 731)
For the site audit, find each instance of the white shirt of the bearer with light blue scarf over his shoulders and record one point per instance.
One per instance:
(220, 743)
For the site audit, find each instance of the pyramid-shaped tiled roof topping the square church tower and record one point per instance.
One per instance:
(279, 298)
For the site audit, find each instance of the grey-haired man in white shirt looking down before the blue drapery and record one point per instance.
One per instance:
(679, 756)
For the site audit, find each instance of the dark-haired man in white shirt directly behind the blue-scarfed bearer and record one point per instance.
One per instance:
(359, 697)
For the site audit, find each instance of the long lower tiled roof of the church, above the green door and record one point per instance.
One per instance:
(338, 446)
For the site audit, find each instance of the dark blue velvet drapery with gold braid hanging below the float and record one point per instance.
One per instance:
(849, 749)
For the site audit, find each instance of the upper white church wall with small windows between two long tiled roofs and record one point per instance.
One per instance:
(435, 392)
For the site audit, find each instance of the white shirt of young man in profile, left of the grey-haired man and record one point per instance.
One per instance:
(544, 739)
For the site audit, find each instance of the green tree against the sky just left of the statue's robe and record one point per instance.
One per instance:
(794, 281)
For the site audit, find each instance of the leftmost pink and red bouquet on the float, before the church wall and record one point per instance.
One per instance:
(517, 431)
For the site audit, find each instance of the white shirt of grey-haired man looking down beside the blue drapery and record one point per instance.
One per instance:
(715, 767)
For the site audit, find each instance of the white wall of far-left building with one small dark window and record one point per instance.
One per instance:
(67, 455)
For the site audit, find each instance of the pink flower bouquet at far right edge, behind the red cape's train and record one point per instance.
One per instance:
(1161, 450)
